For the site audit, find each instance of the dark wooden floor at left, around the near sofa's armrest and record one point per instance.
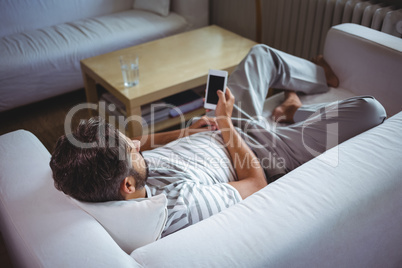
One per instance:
(45, 120)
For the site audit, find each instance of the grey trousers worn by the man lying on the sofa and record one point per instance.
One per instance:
(318, 127)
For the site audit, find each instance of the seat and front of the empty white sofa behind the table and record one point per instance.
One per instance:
(50, 56)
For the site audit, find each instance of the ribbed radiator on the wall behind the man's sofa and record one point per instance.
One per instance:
(299, 27)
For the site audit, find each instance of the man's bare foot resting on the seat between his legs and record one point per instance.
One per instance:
(284, 113)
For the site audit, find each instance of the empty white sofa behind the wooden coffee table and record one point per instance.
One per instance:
(42, 42)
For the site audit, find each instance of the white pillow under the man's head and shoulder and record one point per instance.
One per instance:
(131, 223)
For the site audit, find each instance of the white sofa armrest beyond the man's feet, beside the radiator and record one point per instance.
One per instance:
(367, 62)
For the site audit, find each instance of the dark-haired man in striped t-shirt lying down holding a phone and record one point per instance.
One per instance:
(225, 159)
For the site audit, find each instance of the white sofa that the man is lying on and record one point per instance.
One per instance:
(342, 209)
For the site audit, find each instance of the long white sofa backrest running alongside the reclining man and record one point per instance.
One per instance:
(341, 209)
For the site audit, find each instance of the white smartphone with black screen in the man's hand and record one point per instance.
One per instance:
(216, 81)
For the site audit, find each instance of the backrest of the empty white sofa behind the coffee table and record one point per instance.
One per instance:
(23, 15)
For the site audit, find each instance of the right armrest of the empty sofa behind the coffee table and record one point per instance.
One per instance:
(196, 12)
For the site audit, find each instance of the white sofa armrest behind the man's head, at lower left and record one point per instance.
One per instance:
(40, 225)
